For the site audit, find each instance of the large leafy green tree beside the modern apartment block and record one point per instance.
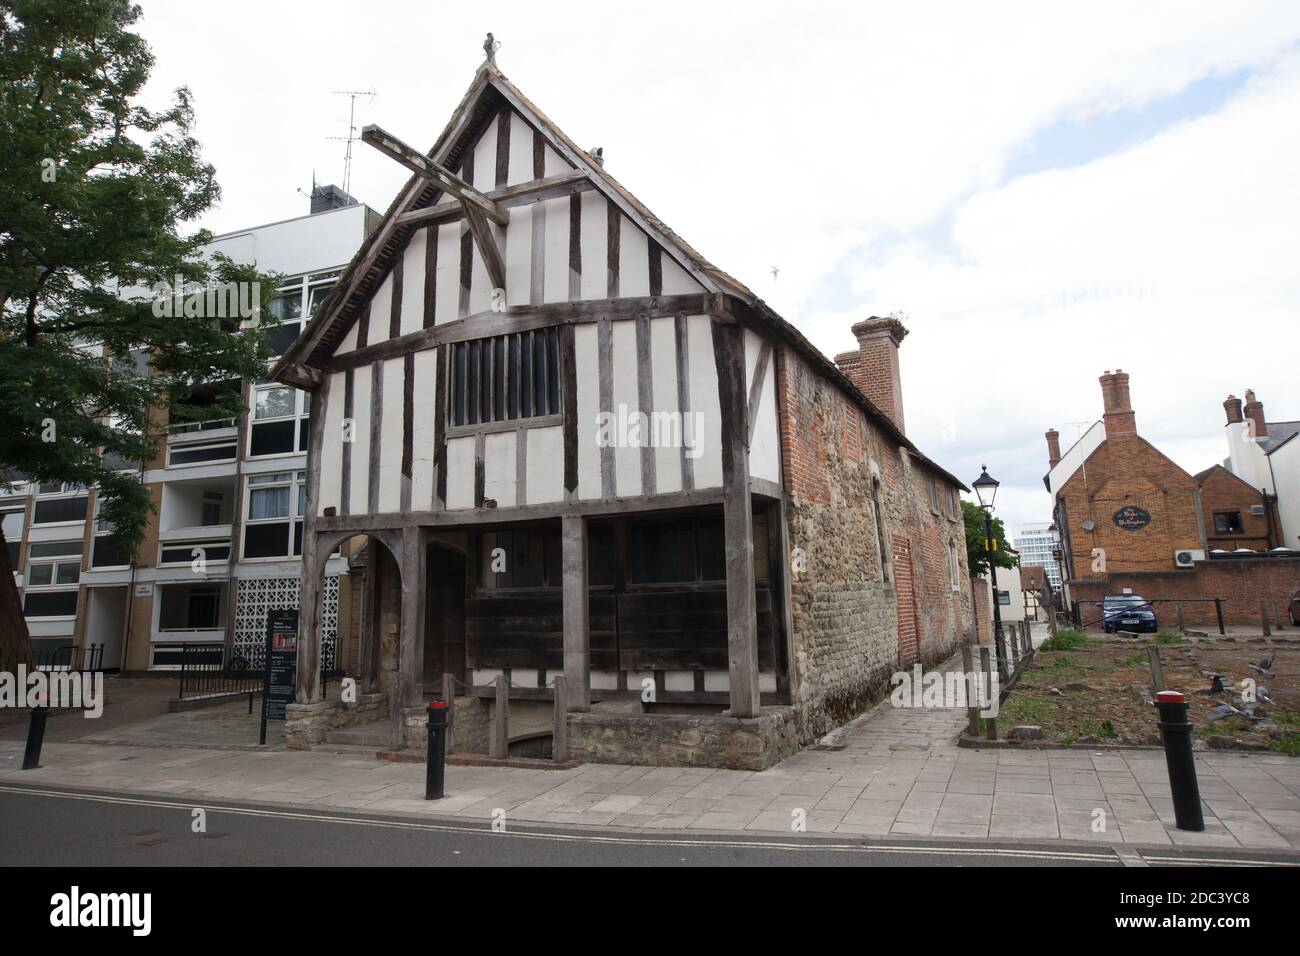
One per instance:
(94, 192)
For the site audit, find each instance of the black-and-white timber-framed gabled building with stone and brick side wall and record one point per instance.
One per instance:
(579, 449)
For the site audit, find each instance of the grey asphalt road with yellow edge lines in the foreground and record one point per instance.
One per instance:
(67, 828)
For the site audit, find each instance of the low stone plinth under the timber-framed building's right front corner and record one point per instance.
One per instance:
(708, 741)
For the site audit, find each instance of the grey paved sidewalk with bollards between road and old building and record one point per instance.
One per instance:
(892, 773)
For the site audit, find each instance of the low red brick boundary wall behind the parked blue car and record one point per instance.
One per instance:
(1242, 585)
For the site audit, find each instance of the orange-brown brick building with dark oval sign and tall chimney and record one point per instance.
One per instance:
(1132, 518)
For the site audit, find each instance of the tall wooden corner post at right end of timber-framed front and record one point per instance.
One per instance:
(738, 520)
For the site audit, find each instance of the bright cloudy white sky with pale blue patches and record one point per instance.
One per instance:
(1043, 192)
